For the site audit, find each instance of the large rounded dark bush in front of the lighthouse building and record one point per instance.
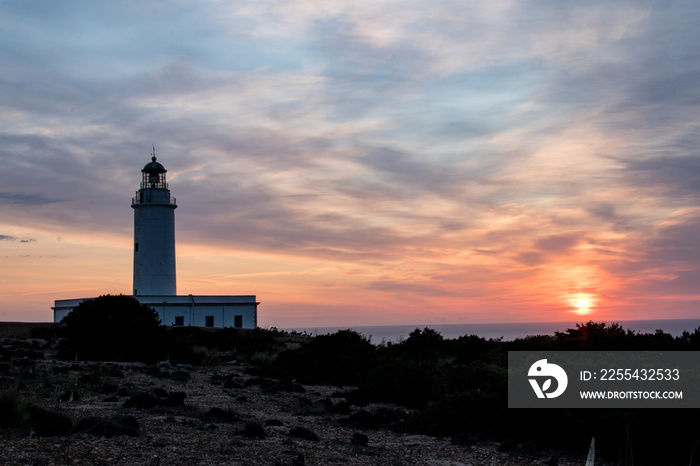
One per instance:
(111, 328)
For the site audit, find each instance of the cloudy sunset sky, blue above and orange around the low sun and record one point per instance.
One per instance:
(359, 163)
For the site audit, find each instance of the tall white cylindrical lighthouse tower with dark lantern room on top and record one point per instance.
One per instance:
(154, 234)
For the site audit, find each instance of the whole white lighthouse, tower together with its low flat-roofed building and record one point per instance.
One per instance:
(155, 282)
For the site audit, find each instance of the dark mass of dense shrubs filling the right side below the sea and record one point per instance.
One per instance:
(458, 388)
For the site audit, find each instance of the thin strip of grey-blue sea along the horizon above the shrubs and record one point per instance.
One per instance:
(508, 331)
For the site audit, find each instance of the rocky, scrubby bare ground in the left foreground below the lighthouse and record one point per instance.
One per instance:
(97, 413)
